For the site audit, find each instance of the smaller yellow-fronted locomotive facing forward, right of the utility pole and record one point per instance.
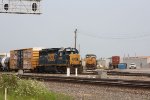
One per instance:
(90, 62)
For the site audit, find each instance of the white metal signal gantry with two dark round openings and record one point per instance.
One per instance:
(20, 6)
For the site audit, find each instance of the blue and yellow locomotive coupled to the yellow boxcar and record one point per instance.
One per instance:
(58, 59)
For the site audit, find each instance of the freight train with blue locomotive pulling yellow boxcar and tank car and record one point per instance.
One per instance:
(51, 60)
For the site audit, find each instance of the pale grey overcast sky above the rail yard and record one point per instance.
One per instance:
(105, 27)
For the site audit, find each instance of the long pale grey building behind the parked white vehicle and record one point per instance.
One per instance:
(141, 62)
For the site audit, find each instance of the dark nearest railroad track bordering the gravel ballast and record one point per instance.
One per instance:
(92, 81)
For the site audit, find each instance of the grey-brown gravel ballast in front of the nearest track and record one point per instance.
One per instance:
(92, 92)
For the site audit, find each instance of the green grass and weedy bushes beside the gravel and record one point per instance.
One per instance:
(20, 89)
